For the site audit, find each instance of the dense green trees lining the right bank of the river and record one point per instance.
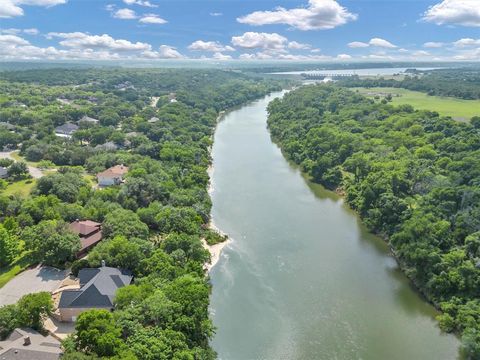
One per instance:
(413, 177)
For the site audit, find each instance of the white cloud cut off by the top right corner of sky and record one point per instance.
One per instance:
(454, 12)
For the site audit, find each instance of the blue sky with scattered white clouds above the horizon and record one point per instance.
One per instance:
(231, 29)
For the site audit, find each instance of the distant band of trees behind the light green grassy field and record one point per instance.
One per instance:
(459, 83)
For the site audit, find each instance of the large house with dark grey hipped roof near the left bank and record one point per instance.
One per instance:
(97, 290)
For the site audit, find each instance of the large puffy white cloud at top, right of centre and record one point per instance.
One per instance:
(318, 15)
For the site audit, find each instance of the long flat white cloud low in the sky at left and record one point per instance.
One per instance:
(85, 41)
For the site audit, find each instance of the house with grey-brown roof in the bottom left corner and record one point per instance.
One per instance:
(27, 344)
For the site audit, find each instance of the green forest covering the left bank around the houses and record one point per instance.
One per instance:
(160, 124)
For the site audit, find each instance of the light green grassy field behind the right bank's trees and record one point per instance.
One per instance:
(458, 109)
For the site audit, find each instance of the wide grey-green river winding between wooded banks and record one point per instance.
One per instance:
(302, 278)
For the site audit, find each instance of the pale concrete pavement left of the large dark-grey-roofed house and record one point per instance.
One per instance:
(42, 278)
